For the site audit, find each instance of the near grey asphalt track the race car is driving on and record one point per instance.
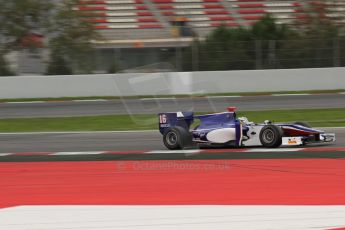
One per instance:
(101, 141)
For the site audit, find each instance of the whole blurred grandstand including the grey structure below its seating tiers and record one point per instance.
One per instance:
(161, 26)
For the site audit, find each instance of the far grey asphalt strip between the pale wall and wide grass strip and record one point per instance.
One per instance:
(152, 106)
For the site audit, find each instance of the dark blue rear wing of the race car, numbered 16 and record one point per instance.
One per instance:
(173, 119)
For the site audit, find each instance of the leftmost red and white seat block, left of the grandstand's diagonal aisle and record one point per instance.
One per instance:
(122, 15)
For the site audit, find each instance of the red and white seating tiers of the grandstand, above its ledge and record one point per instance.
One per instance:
(155, 19)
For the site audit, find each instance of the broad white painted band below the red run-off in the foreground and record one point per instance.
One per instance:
(174, 217)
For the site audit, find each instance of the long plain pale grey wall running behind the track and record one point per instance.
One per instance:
(172, 83)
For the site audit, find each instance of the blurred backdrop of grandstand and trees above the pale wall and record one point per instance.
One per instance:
(60, 37)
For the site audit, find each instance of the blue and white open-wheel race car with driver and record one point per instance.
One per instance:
(226, 130)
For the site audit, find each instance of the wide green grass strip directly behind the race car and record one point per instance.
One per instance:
(316, 117)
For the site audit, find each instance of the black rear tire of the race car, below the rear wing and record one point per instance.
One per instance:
(177, 138)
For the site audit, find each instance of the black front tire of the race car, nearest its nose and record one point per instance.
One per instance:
(271, 136)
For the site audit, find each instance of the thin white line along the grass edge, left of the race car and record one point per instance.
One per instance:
(82, 132)
